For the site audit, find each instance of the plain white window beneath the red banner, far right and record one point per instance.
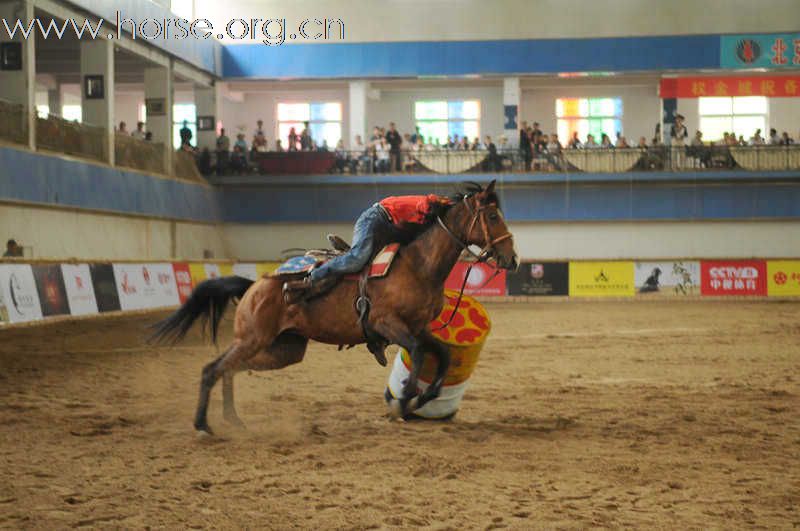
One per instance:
(742, 116)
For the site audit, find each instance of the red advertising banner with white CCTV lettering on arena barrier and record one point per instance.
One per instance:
(733, 277)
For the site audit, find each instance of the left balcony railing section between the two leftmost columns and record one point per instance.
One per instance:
(82, 140)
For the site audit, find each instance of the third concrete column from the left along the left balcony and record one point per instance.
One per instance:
(158, 96)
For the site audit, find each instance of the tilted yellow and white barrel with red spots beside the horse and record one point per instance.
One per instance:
(464, 338)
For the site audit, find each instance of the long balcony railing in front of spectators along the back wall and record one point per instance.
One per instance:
(611, 160)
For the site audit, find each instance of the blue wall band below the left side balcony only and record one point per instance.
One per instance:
(36, 178)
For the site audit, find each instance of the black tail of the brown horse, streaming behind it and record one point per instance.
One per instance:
(208, 302)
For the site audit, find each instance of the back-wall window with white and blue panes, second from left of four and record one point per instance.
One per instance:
(439, 119)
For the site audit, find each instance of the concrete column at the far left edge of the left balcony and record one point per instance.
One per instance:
(18, 86)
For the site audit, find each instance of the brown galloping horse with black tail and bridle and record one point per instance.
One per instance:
(270, 334)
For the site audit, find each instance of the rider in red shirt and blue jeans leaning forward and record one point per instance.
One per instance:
(394, 219)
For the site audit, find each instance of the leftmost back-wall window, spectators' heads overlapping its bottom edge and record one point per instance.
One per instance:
(324, 121)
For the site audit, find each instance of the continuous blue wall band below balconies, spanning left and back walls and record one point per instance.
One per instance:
(55, 181)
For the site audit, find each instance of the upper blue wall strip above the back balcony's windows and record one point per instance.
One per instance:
(456, 58)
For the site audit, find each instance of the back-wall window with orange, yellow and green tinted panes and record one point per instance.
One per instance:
(587, 116)
